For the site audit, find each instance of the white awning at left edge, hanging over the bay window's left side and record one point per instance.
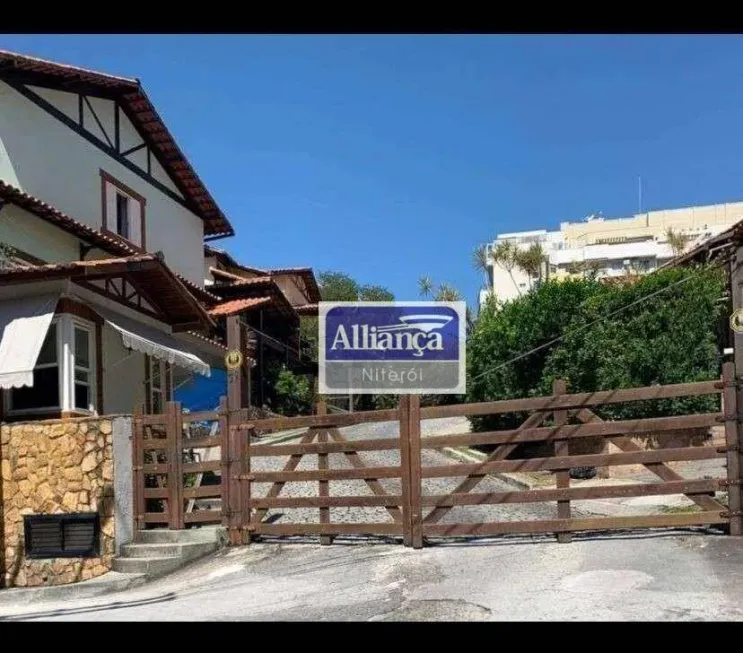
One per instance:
(24, 323)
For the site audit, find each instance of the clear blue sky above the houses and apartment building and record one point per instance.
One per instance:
(392, 156)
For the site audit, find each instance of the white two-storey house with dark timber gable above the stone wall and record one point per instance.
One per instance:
(102, 221)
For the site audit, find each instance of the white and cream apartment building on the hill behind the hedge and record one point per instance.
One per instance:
(608, 247)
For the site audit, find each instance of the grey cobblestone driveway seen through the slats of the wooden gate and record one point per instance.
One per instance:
(459, 514)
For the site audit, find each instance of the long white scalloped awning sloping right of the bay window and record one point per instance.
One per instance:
(151, 341)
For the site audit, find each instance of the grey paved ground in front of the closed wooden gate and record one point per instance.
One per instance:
(673, 576)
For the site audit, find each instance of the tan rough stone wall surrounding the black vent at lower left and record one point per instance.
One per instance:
(55, 466)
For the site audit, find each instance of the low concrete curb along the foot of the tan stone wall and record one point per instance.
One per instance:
(111, 582)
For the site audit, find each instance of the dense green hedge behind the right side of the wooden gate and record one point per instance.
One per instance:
(671, 337)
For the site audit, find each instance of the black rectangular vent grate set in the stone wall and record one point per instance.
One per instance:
(74, 535)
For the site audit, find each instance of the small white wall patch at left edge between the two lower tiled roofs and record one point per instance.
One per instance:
(31, 234)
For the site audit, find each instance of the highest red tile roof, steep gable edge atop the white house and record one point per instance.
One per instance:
(140, 111)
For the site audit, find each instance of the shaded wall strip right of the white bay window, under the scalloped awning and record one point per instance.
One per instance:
(123, 375)
